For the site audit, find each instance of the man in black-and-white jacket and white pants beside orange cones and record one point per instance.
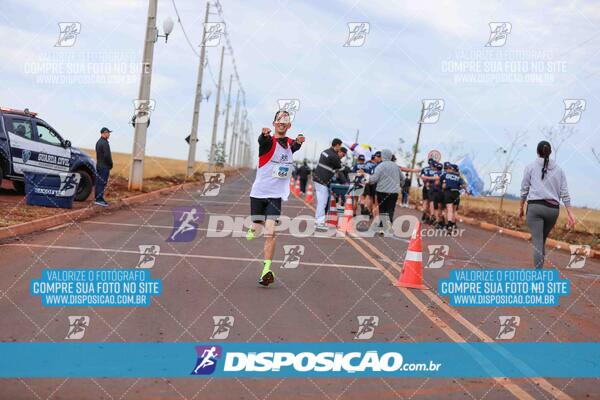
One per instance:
(329, 163)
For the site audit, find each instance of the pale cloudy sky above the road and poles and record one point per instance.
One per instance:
(295, 50)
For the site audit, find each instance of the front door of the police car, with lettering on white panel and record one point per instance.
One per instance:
(52, 155)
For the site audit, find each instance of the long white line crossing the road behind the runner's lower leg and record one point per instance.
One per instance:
(137, 253)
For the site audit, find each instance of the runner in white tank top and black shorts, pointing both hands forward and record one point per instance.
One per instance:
(272, 185)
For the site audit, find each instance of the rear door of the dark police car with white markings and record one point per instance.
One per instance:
(22, 143)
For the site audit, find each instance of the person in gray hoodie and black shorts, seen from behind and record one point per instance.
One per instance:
(388, 179)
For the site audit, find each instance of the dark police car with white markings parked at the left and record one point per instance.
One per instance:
(28, 143)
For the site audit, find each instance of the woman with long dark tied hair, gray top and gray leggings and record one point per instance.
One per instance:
(544, 185)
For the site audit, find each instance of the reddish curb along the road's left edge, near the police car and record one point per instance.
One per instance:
(77, 215)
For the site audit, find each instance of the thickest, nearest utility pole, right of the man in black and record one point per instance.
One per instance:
(136, 173)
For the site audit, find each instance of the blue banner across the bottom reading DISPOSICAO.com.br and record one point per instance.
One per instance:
(277, 360)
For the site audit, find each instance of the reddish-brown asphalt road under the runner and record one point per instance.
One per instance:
(337, 280)
